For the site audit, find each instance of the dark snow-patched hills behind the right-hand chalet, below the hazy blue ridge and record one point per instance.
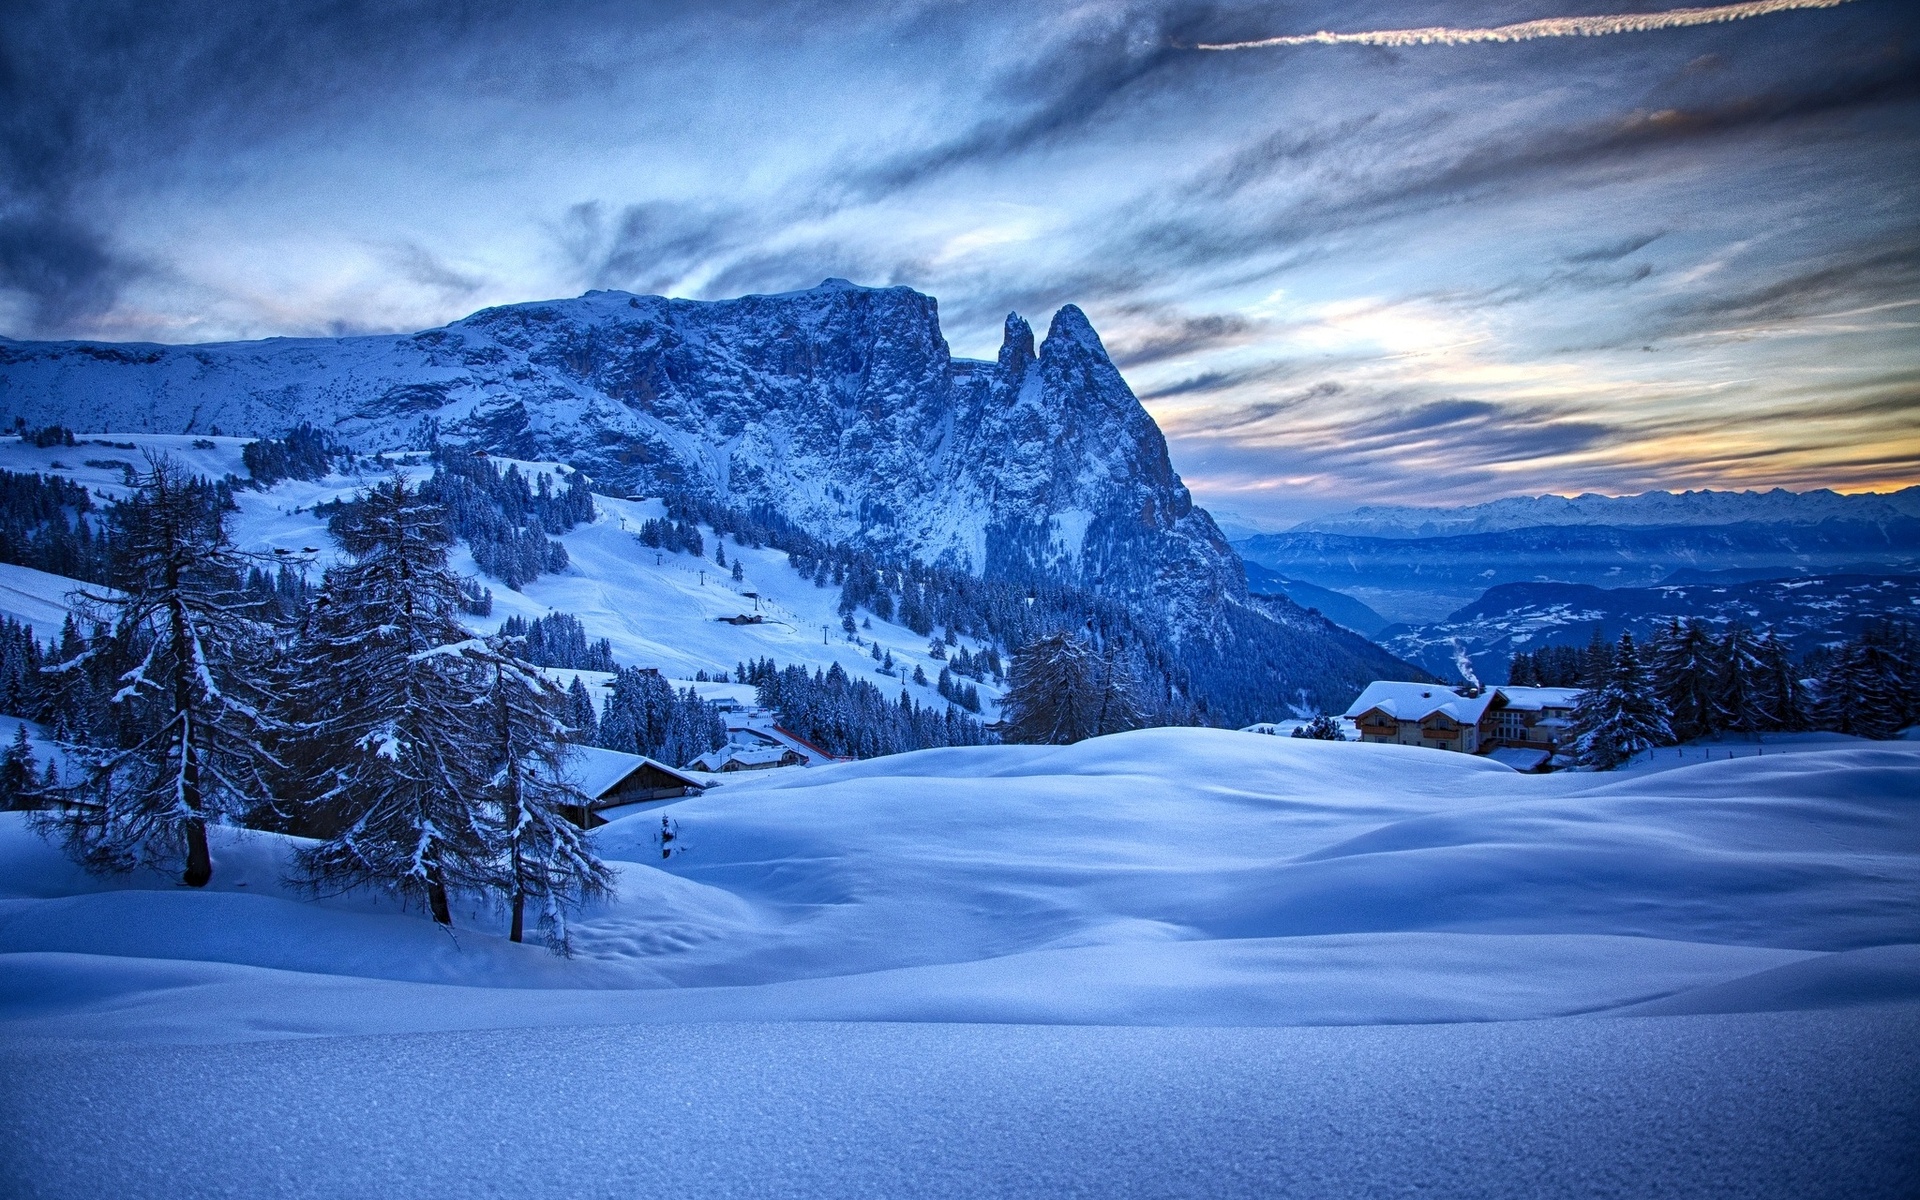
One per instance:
(1810, 612)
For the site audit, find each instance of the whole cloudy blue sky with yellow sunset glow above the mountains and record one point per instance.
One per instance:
(1345, 272)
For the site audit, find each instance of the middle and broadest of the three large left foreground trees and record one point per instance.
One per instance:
(391, 719)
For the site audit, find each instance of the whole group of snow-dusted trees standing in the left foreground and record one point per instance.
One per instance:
(418, 759)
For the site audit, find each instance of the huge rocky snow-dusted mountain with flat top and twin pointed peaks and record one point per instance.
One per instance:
(838, 412)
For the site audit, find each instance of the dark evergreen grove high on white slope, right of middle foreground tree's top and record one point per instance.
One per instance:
(508, 521)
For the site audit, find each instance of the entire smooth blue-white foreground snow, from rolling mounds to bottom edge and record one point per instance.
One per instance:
(1155, 965)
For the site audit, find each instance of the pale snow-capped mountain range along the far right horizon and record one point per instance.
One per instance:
(1629, 512)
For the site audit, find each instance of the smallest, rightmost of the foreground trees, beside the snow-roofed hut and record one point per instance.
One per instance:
(548, 859)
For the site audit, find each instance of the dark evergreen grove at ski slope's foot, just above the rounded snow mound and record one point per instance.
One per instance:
(853, 717)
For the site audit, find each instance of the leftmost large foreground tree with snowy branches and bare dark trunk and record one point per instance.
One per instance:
(189, 702)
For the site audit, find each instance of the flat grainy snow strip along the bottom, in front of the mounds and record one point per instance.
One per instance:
(1790, 1105)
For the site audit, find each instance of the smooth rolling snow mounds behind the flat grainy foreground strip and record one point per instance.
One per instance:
(1161, 878)
